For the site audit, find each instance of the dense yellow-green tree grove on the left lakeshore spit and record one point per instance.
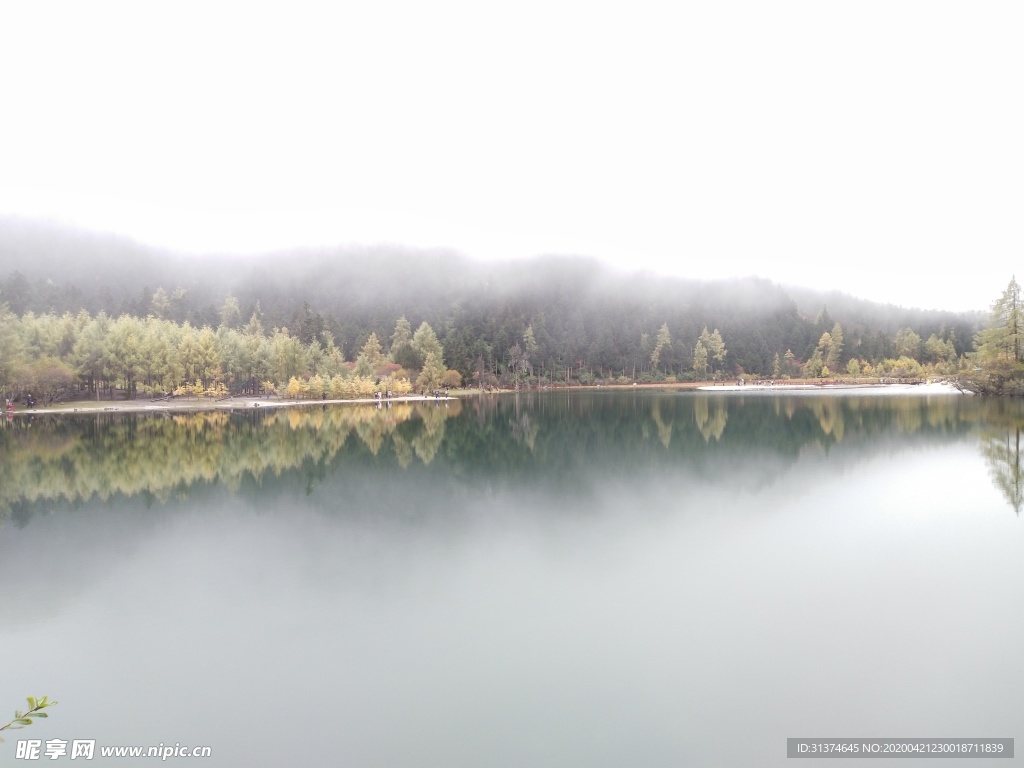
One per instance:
(102, 357)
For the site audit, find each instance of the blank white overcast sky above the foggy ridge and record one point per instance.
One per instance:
(876, 148)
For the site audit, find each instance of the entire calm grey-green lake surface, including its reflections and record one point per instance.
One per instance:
(585, 579)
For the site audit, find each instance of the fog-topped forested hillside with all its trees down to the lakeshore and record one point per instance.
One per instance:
(87, 315)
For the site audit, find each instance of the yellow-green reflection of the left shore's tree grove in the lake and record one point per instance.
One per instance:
(78, 459)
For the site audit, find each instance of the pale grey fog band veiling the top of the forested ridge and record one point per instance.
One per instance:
(405, 280)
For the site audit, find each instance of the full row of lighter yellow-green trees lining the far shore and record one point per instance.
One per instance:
(97, 356)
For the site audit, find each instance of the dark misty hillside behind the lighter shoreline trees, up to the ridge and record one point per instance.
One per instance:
(582, 313)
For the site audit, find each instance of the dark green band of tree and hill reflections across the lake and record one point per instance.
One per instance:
(542, 442)
